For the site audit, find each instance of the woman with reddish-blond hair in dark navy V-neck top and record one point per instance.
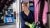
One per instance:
(26, 14)
